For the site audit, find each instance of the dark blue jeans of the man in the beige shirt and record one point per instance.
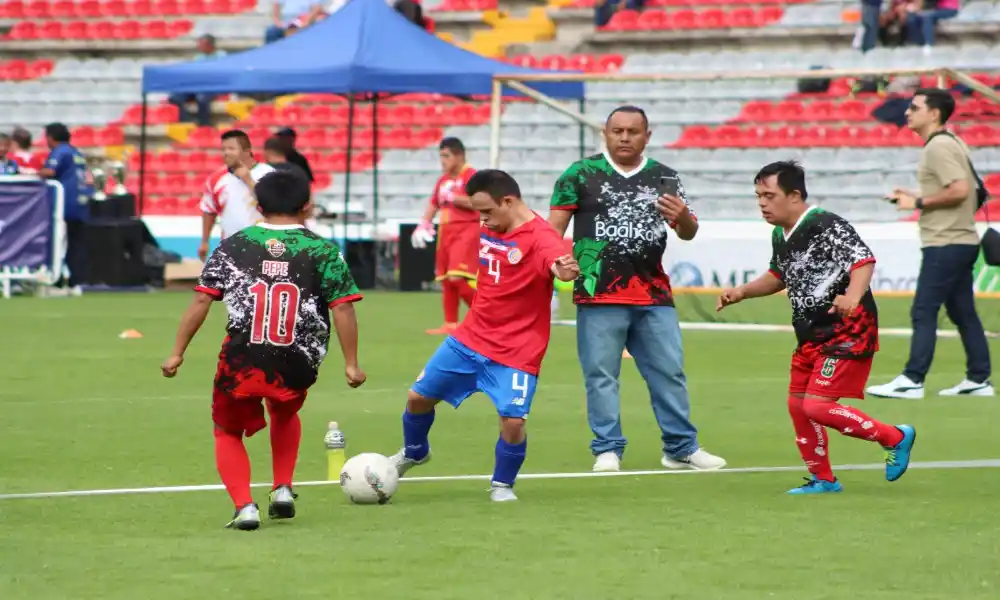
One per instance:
(946, 278)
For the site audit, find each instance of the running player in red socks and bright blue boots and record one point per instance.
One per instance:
(826, 268)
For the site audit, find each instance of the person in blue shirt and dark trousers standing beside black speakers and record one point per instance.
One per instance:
(67, 165)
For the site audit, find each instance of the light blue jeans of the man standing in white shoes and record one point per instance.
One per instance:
(652, 335)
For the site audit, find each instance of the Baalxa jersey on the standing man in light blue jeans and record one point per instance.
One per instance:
(619, 237)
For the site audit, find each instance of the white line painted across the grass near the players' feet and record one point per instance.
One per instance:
(990, 463)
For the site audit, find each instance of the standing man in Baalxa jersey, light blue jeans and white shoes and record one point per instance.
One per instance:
(623, 204)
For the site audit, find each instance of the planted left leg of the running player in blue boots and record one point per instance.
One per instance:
(810, 437)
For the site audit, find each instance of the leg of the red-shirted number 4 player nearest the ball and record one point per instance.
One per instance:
(449, 376)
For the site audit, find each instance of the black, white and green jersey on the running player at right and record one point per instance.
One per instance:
(815, 261)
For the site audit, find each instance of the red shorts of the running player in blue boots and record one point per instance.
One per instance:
(818, 375)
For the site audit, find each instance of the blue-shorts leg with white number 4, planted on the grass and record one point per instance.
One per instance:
(511, 391)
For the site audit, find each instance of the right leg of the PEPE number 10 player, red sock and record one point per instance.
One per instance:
(286, 435)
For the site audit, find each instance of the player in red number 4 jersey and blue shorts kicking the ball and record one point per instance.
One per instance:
(499, 346)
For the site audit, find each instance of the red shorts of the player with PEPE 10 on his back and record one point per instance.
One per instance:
(241, 407)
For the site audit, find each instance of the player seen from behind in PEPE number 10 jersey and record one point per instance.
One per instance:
(277, 279)
